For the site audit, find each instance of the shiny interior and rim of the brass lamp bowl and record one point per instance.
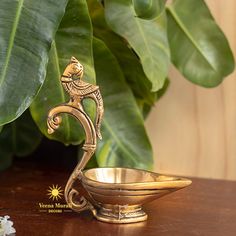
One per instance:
(127, 178)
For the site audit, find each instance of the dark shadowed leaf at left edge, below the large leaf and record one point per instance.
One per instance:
(20, 137)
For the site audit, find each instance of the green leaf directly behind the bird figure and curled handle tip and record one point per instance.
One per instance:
(73, 38)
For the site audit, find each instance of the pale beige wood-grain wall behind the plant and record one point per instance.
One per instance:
(193, 129)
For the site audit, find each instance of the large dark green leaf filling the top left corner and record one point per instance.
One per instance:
(26, 31)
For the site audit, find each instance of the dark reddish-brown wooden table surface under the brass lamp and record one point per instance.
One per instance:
(207, 207)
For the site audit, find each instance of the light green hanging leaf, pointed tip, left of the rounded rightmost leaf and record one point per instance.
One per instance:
(147, 38)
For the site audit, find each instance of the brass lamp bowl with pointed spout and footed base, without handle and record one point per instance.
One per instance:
(119, 193)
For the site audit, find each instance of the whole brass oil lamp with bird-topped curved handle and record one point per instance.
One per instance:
(116, 195)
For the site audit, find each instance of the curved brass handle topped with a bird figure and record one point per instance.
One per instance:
(78, 90)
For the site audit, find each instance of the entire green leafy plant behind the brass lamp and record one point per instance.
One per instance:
(126, 47)
